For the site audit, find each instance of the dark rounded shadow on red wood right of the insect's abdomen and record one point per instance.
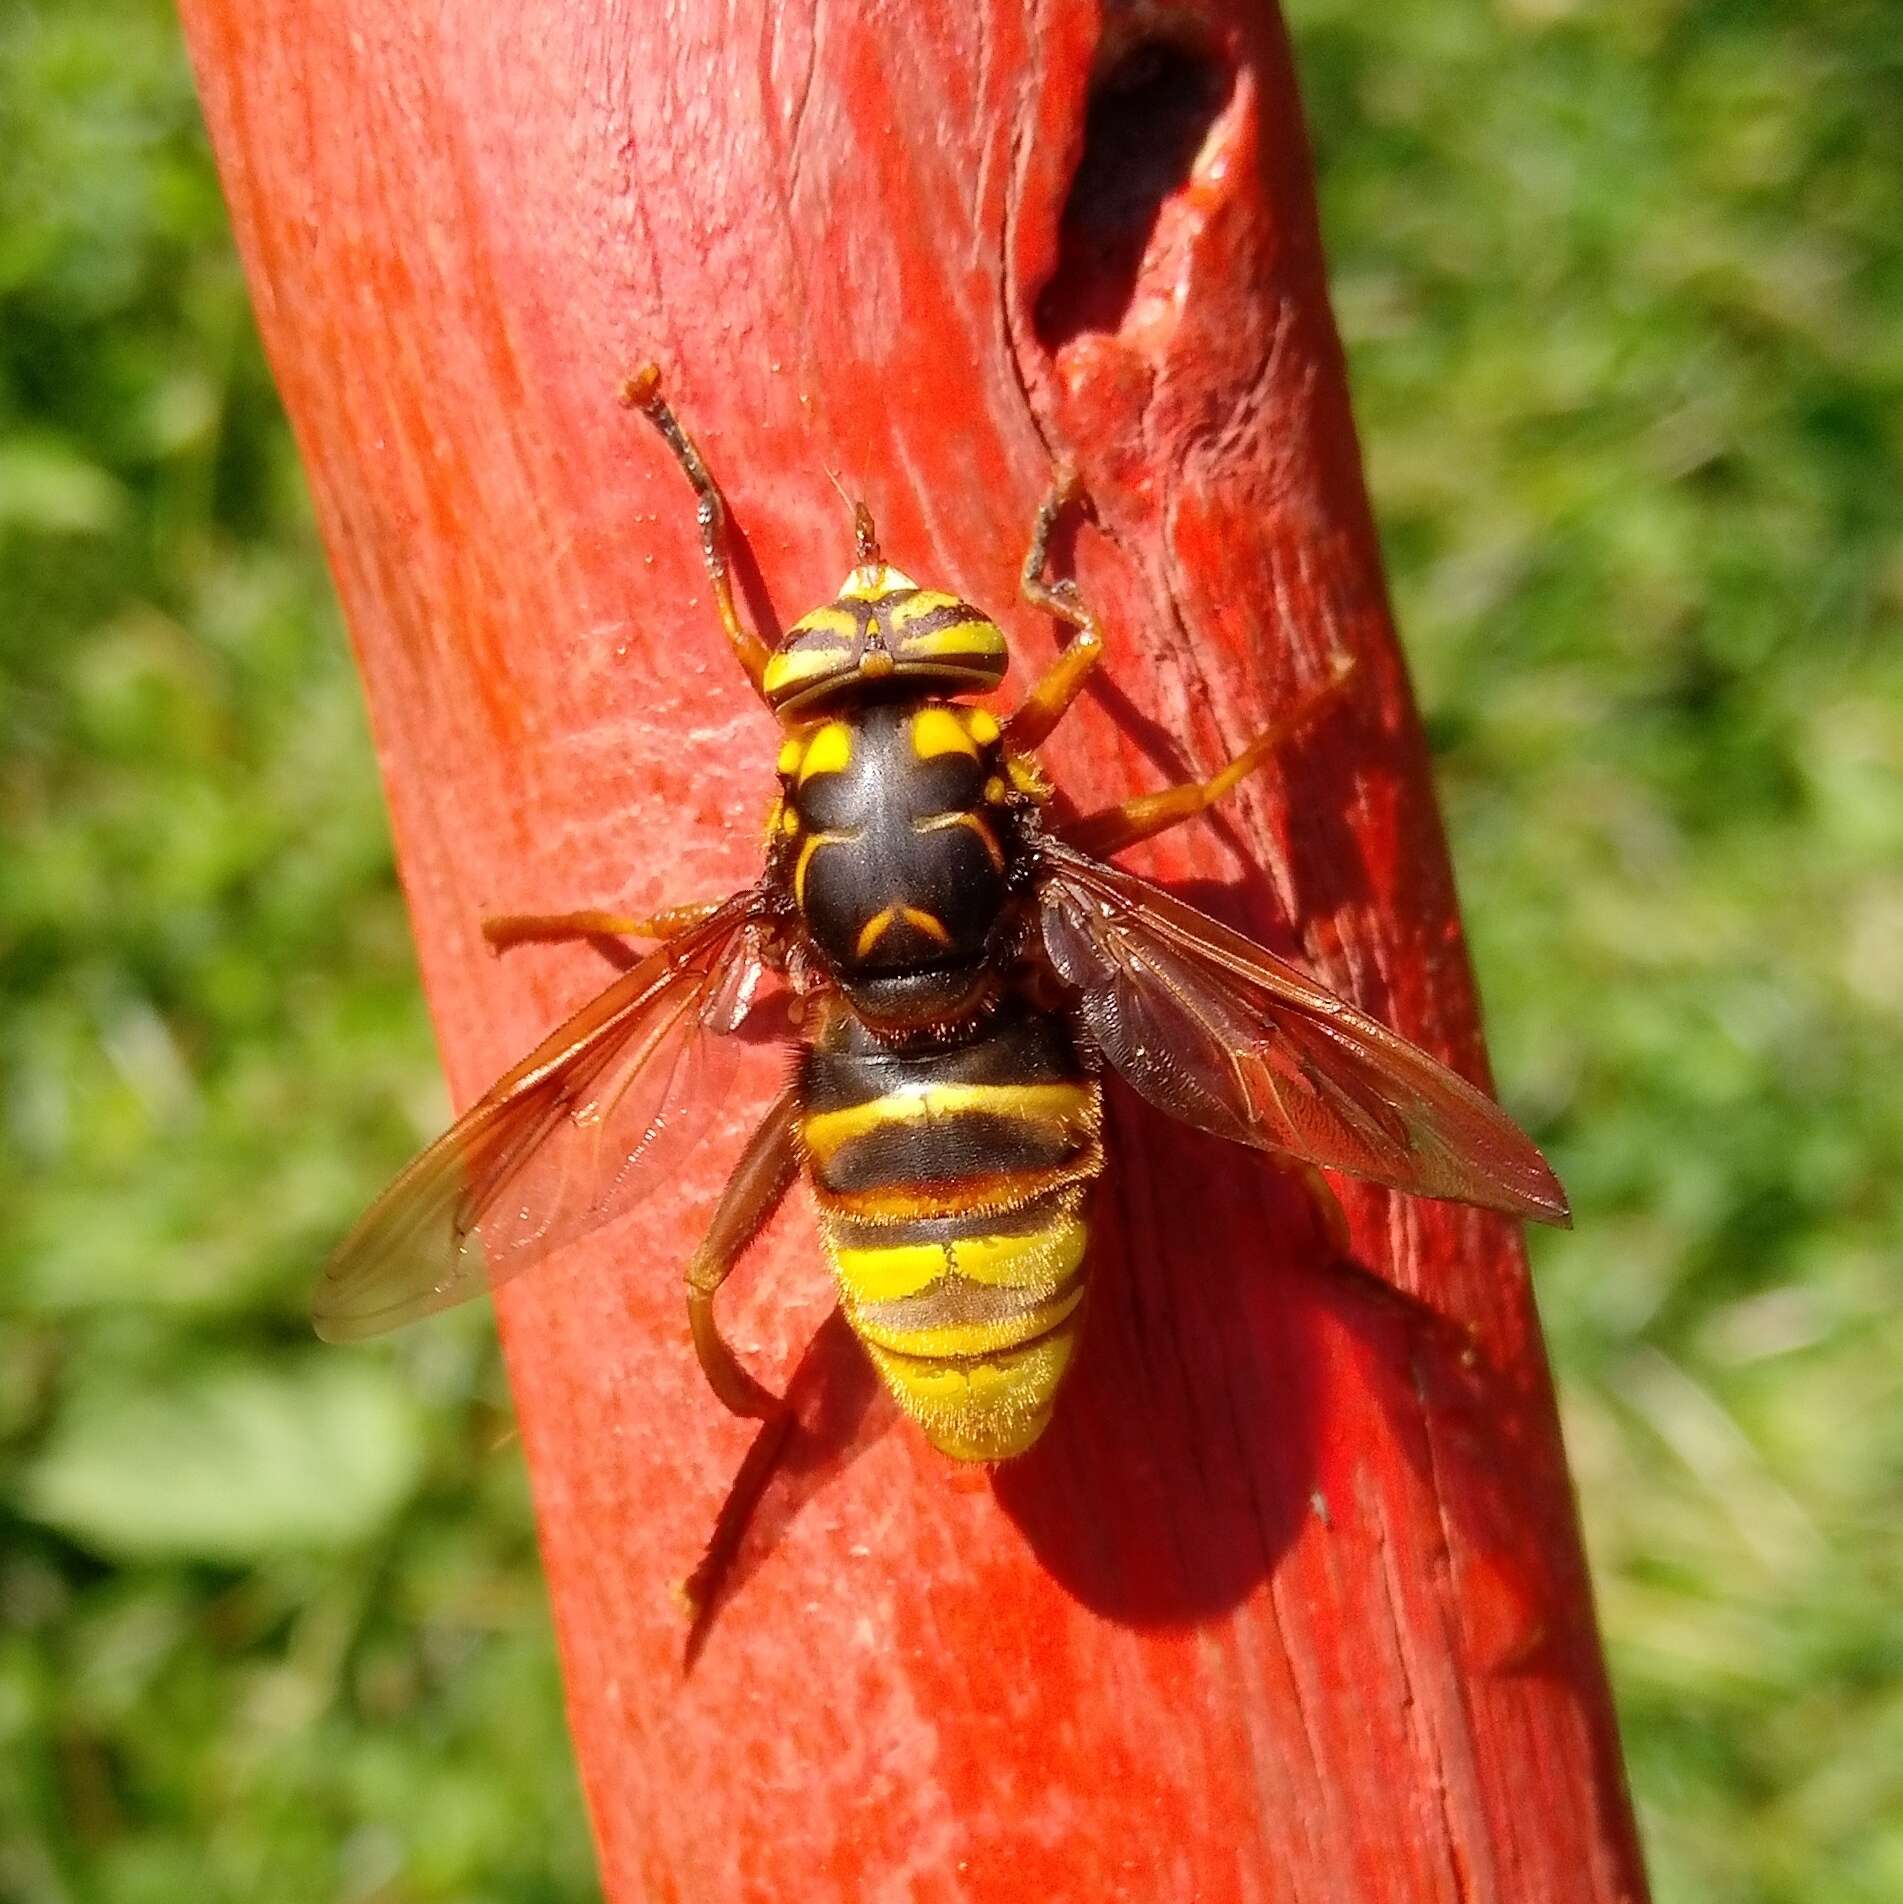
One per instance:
(1178, 1467)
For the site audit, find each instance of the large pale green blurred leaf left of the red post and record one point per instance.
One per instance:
(231, 1463)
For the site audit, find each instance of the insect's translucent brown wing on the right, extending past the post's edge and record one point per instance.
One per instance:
(1230, 1039)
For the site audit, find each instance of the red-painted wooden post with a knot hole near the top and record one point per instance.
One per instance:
(1291, 1600)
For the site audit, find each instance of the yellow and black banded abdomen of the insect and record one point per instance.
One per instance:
(951, 1191)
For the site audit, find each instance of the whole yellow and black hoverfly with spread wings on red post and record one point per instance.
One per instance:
(967, 972)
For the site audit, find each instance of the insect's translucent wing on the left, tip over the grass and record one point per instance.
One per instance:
(572, 1138)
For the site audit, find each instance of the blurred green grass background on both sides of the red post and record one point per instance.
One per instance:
(1624, 296)
